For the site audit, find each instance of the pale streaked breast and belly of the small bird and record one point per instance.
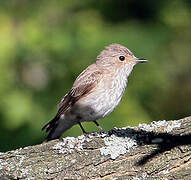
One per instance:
(105, 97)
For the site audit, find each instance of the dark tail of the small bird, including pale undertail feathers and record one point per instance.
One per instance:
(56, 127)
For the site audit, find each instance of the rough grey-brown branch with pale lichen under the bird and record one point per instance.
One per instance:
(160, 150)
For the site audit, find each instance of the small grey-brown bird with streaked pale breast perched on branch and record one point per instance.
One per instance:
(96, 92)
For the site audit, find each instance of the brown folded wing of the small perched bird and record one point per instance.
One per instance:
(85, 82)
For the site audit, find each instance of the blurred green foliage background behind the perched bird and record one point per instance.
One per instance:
(45, 44)
